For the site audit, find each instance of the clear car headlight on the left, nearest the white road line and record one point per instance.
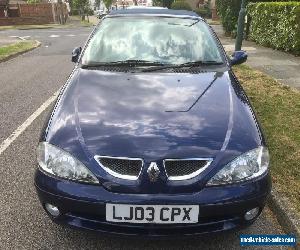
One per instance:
(58, 162)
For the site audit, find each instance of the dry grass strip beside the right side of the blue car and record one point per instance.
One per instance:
(278, 109)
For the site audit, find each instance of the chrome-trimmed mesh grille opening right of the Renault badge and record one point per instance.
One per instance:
(183, 169)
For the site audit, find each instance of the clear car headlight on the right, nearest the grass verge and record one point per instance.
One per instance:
(245, 167)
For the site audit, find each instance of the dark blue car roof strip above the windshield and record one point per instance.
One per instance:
(154, 12)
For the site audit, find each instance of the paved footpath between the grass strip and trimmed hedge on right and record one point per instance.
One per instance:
(281, 65)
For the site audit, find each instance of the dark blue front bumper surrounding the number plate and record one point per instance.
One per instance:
(83, 206)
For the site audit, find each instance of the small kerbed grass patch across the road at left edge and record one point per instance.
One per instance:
(17, 48)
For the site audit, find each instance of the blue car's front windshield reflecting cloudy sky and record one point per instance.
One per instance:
(152, 39)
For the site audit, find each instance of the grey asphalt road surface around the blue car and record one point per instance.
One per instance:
(26, 82)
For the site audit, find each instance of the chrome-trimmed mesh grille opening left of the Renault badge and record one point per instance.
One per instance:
(124, 168)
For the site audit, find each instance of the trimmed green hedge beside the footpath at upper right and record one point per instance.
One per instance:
(275, 25)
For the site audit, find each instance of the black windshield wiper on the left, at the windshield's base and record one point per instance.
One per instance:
(129, 63)
